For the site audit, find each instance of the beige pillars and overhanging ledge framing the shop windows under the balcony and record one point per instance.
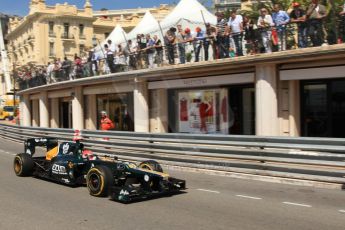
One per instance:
(277, 93)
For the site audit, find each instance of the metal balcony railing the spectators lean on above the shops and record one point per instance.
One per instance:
(207, 48)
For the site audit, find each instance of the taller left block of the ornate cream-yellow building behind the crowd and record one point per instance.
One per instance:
(49, 32)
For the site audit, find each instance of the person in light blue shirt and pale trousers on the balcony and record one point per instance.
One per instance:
(280, 20)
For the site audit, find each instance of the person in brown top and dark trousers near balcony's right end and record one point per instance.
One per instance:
(315, 15)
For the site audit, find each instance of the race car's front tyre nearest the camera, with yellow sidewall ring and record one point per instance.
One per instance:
(99, 181)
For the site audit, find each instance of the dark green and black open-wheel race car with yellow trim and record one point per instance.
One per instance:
(69, 163)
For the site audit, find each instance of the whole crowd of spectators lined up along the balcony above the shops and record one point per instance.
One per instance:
(238, 35)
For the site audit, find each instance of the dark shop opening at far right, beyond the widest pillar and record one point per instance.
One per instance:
(323, 108)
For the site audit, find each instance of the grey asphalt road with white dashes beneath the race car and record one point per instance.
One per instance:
(211, 202)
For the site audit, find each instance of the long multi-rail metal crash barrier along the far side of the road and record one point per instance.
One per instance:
(308, 159)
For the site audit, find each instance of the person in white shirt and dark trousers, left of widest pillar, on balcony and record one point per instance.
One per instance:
(236, 25)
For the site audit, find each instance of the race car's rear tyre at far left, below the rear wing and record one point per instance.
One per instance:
(23, 165)
